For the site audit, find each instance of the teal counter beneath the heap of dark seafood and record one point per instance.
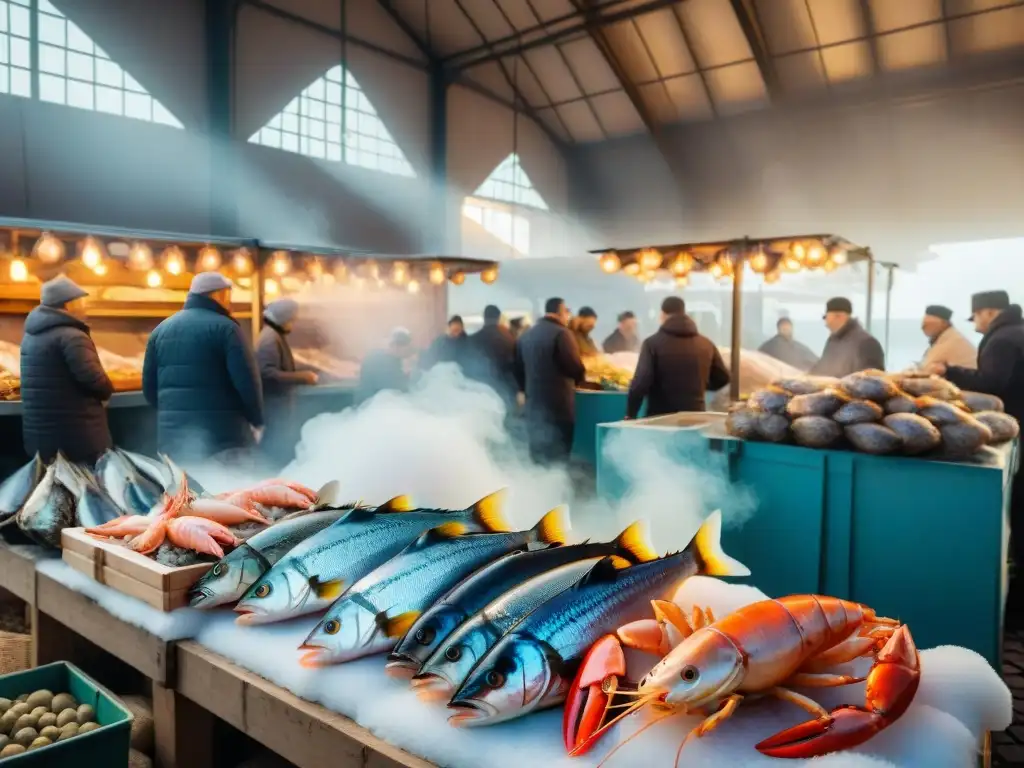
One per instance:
(919, 540)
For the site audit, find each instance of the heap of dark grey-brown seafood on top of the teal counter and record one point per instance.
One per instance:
(875, 413)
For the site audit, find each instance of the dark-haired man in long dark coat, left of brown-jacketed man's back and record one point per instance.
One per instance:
(548, 368)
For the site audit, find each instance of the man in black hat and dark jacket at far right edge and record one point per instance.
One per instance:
(1001, 372)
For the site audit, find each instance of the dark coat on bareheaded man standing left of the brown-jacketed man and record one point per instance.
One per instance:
(548, 368)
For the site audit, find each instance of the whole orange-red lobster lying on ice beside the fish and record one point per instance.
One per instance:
(709, 667)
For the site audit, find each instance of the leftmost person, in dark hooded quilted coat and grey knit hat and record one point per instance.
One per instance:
(64, 386)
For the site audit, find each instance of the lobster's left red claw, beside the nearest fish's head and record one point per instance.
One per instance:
(586, 716)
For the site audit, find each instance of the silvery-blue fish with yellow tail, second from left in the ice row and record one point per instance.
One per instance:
(314, 575)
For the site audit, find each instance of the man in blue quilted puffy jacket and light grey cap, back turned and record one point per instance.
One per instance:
(201, 375)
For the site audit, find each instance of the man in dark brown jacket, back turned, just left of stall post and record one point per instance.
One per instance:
(677, 366)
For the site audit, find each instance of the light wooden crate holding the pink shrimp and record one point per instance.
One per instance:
(117, 567)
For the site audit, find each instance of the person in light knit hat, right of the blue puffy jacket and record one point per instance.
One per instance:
(280, 377)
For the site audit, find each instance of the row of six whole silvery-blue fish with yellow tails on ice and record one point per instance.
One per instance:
(459, 600)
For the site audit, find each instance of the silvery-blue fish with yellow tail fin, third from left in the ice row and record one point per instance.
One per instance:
(380, 608)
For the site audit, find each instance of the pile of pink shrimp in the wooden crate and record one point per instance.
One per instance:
(201, 524)
